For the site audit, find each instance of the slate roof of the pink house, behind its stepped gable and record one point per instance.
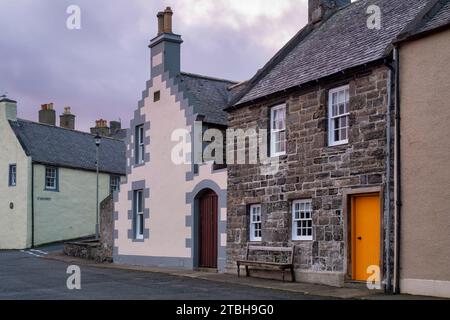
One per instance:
(209, 96)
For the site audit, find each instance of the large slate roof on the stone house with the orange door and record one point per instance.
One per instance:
(342, 42)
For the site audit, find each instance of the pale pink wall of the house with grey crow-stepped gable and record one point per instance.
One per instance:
(167, 184)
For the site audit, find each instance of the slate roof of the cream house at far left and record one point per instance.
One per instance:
(69, 148)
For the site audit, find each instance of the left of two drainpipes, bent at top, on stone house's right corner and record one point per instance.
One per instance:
(387, 198)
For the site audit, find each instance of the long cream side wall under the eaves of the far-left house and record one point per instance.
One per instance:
(69, 213)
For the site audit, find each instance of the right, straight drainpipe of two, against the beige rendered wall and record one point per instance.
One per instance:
(398, 184)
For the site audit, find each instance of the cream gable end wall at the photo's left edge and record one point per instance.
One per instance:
(14, 223)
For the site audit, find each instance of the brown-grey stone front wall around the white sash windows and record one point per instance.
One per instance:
(311, 169)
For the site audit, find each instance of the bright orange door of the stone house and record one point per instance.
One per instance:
(366, 226)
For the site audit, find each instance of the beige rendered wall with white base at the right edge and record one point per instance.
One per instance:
(425, 129)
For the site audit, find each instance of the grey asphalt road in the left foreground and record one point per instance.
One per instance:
(26, 275)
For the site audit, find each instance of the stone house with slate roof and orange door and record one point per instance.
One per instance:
(327, 100)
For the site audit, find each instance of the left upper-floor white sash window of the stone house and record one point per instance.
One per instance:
(278, 131)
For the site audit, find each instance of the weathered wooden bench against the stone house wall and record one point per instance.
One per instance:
(258, 264)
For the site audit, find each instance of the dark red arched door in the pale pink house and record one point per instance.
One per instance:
(208, 230)
